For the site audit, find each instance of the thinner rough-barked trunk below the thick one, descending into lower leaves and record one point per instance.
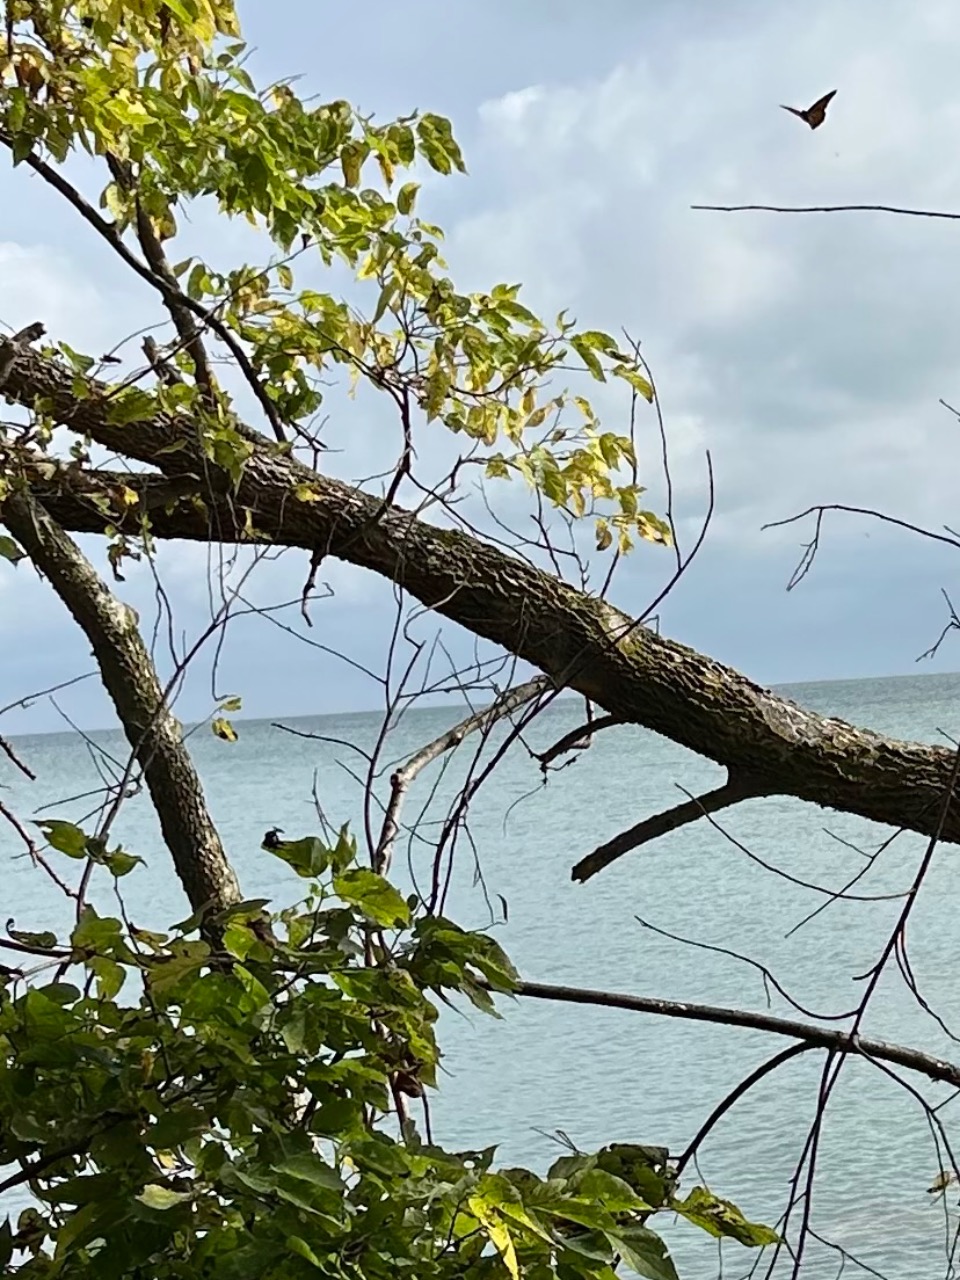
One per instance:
(131, 680)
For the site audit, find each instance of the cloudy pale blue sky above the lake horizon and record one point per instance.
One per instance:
(807, 353)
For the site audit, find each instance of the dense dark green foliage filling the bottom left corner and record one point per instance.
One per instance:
(226, 1118)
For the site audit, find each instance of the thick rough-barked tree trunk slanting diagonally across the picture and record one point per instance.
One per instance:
(578, 641)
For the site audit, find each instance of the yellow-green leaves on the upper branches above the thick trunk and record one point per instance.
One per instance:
(161, 90)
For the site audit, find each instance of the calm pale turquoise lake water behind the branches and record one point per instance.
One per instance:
(604, 1076)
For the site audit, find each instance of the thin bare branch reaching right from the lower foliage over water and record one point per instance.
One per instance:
(817, 1037)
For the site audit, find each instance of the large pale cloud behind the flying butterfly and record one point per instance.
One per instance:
(808, 354)
